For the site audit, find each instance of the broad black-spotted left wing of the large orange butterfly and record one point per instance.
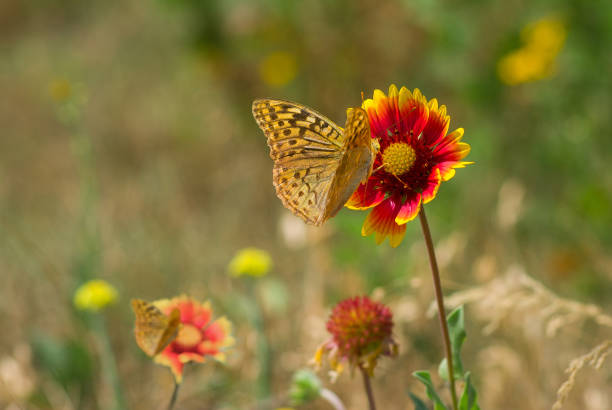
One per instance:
(306, 148)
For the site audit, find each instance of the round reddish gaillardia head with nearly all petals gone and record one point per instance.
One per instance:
(361, 332)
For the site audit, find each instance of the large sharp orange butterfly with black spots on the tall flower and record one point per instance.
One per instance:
(317, 164)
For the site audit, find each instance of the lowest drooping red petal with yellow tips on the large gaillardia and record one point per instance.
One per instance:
(381, 222)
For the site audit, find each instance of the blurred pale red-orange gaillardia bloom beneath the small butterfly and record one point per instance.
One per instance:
(198, 338)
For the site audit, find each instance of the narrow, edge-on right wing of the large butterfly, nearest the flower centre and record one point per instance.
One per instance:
(356, 163)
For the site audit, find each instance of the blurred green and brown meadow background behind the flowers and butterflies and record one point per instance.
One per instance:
(128, 152)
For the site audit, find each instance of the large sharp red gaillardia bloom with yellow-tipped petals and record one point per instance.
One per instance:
(416, 154)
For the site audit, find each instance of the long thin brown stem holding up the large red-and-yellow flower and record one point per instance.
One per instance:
(440, 301)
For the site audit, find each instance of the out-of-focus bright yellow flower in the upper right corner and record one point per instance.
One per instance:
(534, 61)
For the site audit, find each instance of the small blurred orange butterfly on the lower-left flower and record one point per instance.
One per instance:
(153, 329)
